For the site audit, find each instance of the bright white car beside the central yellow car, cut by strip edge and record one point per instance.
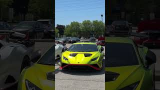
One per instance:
(59, 48)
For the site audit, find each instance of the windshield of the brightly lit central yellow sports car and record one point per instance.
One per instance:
(83, 48)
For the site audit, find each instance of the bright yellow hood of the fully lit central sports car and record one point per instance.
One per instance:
(80, 57)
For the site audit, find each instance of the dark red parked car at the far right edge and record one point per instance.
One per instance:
(151, 29)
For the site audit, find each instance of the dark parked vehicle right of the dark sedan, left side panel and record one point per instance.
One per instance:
(49, 27)
